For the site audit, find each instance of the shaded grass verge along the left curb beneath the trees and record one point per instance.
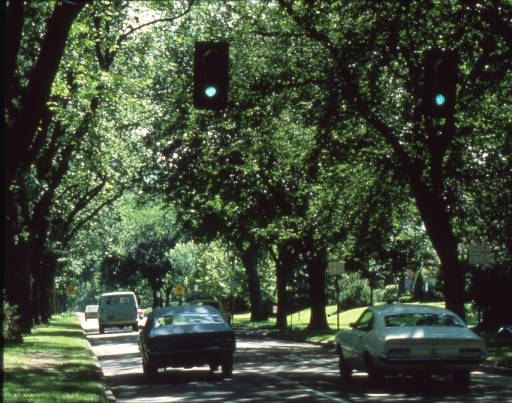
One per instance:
(53, 364)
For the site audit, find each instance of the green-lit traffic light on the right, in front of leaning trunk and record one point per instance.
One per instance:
(439, 86)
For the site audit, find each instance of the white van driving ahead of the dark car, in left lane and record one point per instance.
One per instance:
(118, 309)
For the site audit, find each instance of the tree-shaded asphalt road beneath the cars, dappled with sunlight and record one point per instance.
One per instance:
(272, 371)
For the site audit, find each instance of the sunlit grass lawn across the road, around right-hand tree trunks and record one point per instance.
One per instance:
(499, 350)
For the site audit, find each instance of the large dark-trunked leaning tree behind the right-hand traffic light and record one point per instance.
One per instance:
(383, 43)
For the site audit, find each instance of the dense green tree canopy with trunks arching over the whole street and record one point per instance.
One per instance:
(323, 152)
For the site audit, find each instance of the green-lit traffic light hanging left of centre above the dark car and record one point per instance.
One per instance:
(211, 75)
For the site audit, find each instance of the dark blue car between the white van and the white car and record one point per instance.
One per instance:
(187, 336)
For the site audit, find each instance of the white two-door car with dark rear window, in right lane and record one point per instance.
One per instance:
(409, 339)
